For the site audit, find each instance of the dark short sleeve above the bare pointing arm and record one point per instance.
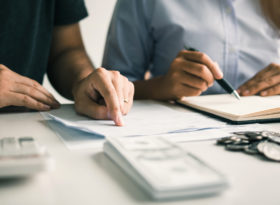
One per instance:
(69, 11)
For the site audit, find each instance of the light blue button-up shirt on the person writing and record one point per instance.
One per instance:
(148, 34)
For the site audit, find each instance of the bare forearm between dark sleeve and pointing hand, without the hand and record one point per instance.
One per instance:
(67, 57)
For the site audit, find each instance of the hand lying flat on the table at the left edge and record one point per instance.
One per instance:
(18, 90)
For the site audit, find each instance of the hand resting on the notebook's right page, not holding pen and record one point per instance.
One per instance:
(265, 83)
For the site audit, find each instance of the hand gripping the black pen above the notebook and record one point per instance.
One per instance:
(190, 73)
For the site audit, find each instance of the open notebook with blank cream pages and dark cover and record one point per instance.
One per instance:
(247, 110)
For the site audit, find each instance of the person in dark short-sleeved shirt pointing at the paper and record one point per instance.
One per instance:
(43, 36)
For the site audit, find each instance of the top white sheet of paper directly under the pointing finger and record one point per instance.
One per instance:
(145, 118)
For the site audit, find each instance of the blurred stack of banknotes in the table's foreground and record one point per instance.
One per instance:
(162, 169)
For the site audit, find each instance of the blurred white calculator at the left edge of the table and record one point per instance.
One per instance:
(22, 156)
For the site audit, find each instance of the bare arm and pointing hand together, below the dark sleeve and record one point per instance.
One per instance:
(73, 75)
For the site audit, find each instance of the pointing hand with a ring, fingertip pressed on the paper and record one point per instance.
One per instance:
(104, 86)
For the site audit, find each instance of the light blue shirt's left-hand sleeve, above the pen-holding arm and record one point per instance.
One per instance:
(129, 42)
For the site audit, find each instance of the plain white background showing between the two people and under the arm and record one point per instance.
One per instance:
(94, 30)
